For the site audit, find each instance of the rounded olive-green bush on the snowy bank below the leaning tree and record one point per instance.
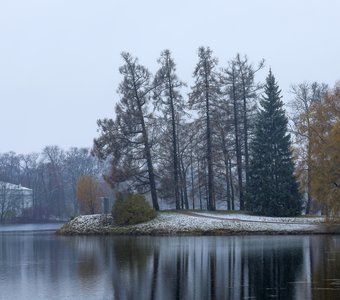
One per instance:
(132, 209)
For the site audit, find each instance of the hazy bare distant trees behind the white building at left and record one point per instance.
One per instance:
(52, 175)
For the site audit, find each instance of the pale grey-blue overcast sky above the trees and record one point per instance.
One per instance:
(59, 59)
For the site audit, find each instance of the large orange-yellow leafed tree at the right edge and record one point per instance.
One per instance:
(325, 137)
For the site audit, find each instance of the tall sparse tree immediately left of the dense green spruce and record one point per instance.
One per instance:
(240, 94)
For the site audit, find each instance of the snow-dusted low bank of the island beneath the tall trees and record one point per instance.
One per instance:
(199, 223)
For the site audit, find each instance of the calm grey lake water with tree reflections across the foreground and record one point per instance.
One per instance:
(37, 264)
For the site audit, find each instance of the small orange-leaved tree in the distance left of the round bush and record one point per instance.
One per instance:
(88, 195)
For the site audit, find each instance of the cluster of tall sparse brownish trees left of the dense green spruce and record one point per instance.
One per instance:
(190, 150)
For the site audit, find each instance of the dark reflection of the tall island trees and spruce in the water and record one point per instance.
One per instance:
(205, 267)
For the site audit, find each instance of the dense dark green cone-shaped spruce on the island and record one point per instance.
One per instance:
(272, 188)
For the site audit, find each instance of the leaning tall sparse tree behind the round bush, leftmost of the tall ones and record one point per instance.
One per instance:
(127, 138)
